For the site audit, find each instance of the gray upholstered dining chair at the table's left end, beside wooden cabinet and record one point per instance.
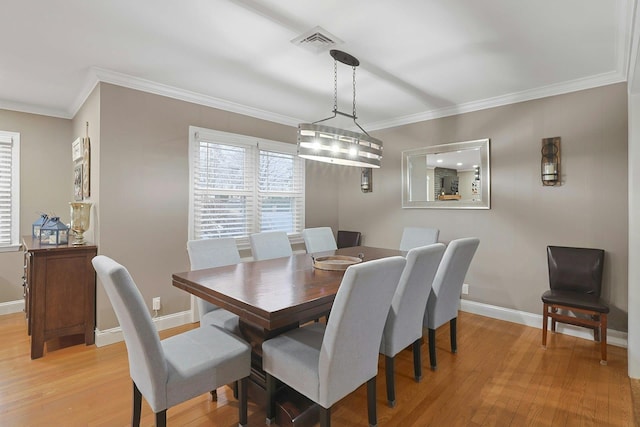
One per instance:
(170, 371)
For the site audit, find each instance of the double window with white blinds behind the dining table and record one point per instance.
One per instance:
(241, 185)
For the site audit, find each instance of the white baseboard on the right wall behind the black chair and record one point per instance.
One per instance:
(617, 338)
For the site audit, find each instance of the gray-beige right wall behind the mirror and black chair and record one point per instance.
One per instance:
(589, 209)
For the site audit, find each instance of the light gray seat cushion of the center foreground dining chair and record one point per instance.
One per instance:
(293, 357)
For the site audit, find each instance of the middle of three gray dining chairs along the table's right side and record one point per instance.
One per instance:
(404, 321)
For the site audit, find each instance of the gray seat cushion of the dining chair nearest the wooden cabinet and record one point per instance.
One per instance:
(201, 360)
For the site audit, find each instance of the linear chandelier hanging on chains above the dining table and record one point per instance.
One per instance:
(334, 145)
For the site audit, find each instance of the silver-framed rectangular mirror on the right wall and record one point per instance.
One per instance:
(447, 176)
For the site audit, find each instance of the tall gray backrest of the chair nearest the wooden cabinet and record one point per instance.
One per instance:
(147, 364)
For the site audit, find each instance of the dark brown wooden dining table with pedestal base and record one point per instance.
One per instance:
(271, 297)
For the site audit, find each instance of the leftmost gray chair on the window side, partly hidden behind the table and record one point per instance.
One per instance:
(210, 253)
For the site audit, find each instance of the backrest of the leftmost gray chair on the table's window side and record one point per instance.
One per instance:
(210, 253)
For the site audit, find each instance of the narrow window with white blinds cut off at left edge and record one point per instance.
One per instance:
(9, 191)
